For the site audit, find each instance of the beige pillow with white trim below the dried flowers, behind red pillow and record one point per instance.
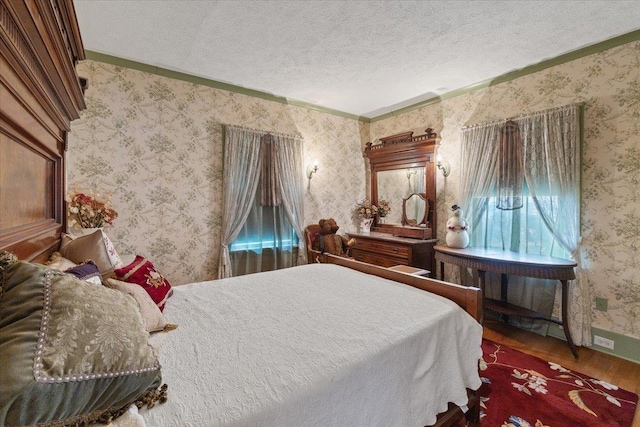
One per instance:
(91, 246)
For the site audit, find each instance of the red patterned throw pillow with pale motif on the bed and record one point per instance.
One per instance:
(143, 273)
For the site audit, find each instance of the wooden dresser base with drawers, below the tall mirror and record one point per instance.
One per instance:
(387, 250)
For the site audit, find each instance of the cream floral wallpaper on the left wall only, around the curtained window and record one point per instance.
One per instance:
(156, 144)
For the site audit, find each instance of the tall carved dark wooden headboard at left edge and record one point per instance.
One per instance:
(40, 94)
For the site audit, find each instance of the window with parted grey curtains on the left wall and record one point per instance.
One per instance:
(263, 202)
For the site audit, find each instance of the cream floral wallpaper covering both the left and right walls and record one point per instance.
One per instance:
(156, 143)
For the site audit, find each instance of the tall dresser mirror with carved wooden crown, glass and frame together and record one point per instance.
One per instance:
(403, 173)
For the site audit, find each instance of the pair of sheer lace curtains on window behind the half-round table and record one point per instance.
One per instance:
(550, 144)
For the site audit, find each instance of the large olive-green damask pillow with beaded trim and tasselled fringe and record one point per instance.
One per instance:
(72, 352)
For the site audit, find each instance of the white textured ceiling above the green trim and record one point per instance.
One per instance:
(365, 58)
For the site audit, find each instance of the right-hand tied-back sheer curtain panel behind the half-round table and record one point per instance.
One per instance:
(551, 141)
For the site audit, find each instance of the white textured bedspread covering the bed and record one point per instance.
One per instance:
(315, 345)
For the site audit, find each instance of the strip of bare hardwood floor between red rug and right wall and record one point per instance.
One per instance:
(599, 365)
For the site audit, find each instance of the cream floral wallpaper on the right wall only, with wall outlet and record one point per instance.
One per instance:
(608, 83)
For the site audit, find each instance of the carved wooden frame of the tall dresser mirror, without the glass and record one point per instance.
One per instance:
(405, 151)
